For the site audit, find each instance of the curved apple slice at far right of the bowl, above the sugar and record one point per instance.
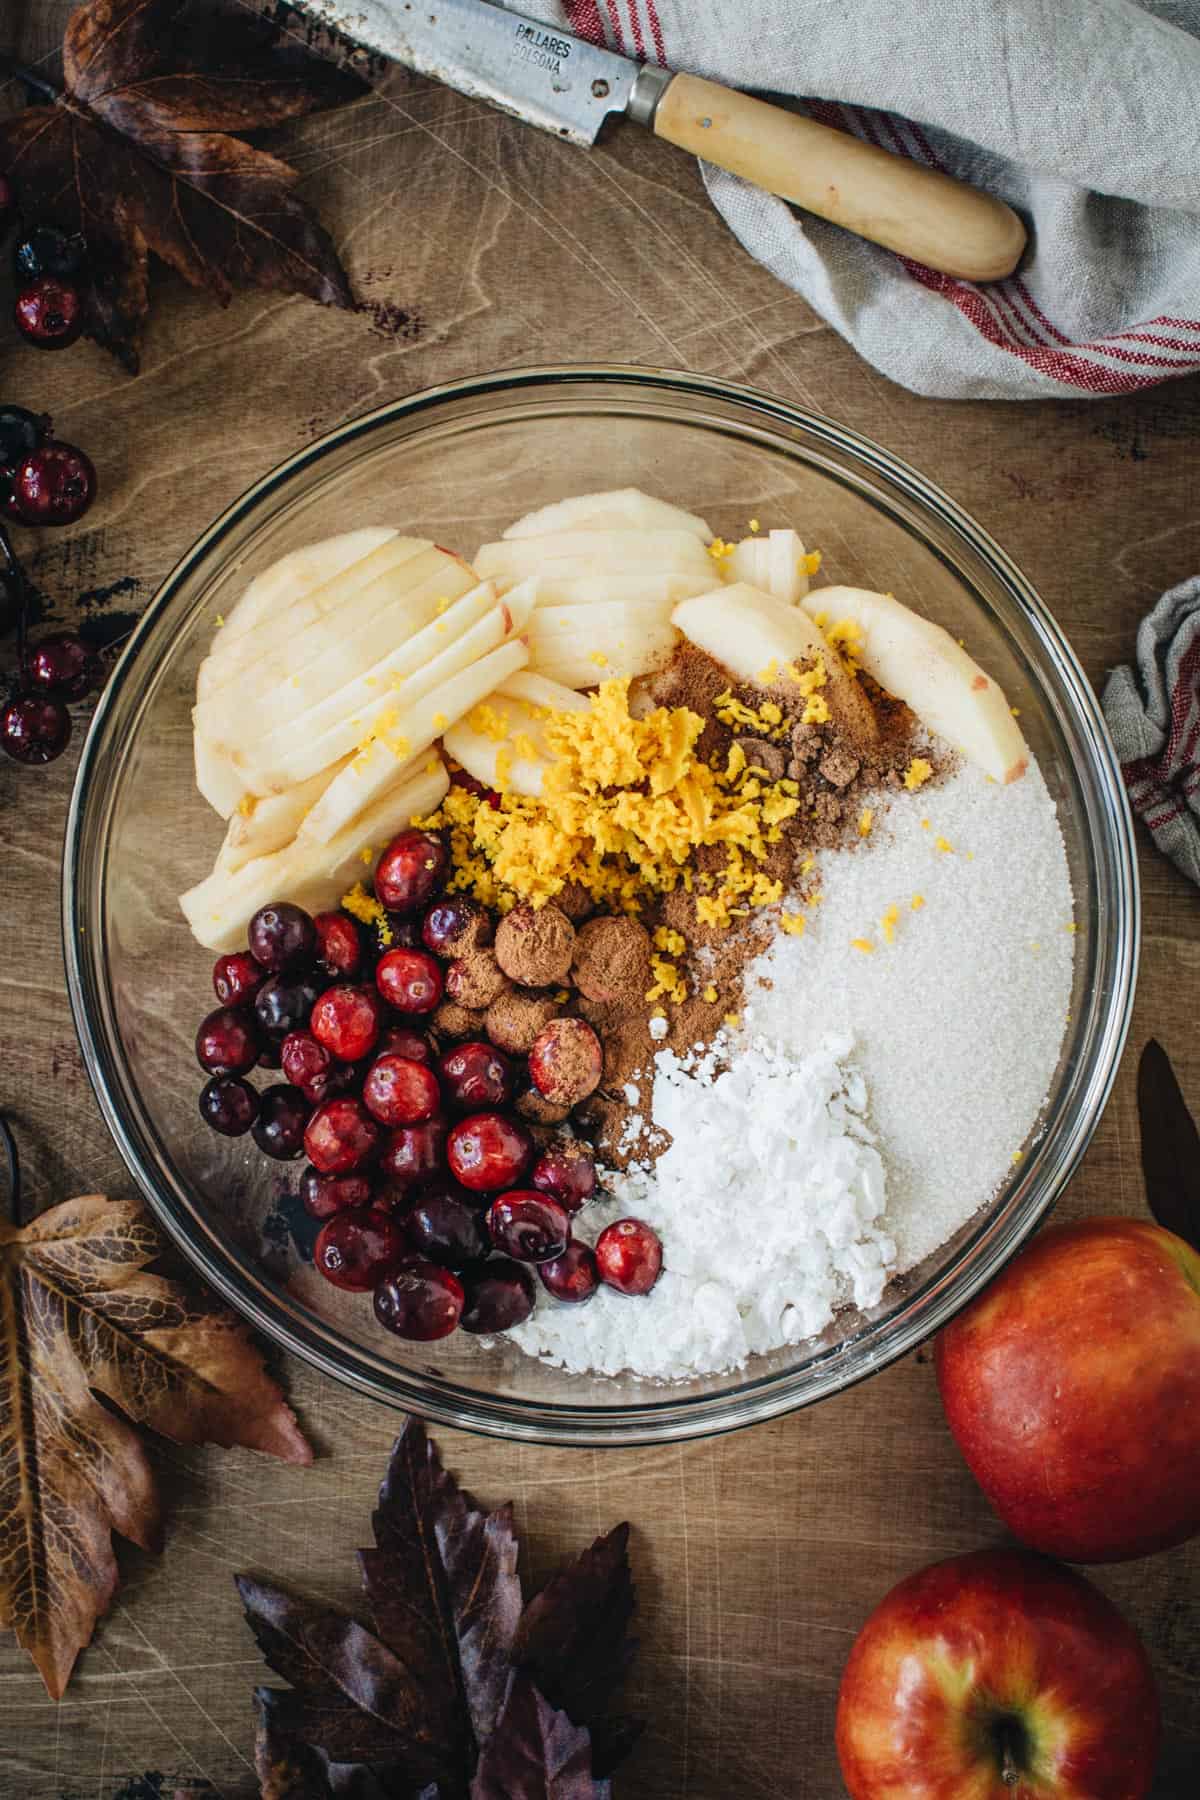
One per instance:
(924, 667)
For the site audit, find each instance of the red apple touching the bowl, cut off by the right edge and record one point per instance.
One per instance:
(1073, 1389)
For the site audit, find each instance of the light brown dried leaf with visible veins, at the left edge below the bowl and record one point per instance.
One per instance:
(82, 1324)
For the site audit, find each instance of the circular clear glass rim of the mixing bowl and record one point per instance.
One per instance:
(674, 1417)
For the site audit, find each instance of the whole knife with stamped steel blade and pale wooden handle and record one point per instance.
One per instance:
(569, 87)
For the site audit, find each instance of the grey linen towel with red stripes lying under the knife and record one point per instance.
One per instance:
(1082, 114)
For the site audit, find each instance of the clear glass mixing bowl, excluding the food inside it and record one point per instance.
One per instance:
(460, 463)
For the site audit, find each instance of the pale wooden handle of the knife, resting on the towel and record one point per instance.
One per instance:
(888, 199)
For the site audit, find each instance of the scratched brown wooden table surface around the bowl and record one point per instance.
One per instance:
(478, 246)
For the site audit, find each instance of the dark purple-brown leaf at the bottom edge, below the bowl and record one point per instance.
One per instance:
(454, 1695)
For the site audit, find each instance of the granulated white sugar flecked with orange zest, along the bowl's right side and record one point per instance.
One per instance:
(958, 1023)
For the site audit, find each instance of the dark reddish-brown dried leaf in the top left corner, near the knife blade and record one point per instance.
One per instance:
(138, 154)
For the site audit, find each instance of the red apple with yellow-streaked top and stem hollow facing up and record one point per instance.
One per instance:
(998, 1677)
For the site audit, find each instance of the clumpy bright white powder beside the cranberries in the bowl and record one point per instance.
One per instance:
(769, 1207)
